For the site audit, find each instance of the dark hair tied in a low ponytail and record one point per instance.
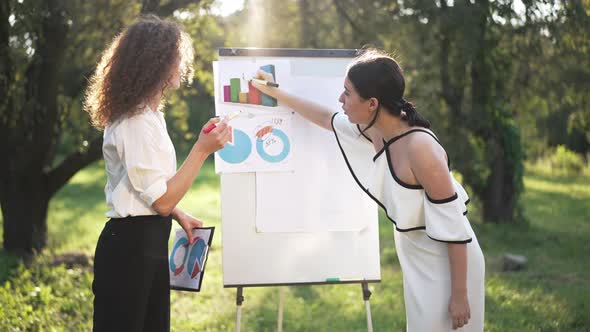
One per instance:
(375, 74)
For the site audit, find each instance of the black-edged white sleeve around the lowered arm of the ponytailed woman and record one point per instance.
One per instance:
(445, 219)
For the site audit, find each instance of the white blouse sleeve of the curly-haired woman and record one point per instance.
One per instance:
(138, 147)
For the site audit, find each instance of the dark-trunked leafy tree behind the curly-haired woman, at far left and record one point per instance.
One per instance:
(48, 48)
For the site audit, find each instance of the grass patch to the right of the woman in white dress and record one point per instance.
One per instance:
(552, 293)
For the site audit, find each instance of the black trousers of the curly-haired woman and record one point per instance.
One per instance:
(131, 282)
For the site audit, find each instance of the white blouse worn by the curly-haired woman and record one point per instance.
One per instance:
(139, 160)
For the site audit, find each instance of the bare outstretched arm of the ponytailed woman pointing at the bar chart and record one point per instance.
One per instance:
(311, 111)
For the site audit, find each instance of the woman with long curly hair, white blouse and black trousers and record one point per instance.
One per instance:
(124, 98)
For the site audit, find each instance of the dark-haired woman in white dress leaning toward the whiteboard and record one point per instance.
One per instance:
(397, 160)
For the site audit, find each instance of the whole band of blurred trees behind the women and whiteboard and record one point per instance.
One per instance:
(501, 81)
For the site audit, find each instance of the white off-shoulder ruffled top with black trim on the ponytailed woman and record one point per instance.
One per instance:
(407, 206)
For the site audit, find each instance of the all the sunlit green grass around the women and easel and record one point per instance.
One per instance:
(549, 295)
